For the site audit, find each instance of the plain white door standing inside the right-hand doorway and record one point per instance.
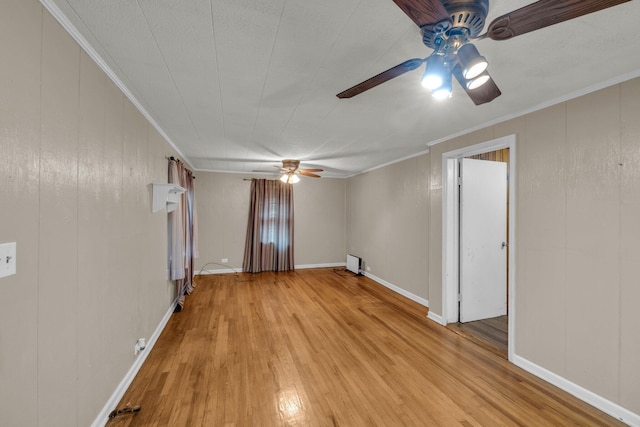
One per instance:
(483, 230)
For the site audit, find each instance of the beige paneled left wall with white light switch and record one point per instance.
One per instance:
(77, 159)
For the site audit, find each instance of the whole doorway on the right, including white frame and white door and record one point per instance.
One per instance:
(477, 277)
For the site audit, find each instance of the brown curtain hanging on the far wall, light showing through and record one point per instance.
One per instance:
(269, 242)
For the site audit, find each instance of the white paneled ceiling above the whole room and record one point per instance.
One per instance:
(238, 85)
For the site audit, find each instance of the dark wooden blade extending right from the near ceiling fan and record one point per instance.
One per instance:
(542, 14)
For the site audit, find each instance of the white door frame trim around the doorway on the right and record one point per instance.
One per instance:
(450, 229)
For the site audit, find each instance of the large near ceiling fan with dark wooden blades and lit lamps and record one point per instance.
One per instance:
(449, 26)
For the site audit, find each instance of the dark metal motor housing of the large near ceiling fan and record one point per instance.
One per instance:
(465, 15)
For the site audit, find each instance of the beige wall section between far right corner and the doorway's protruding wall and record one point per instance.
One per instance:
(388, 223)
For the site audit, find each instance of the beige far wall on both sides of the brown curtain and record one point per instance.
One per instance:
(223, 206)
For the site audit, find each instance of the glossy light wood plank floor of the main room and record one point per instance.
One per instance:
(312, 348)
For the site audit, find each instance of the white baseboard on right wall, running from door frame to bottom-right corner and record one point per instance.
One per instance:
(581, 393)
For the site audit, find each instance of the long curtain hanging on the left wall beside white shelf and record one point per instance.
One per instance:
(183, 232)
